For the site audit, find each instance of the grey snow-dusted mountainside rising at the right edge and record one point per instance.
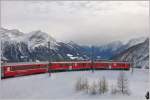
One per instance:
(137, 54)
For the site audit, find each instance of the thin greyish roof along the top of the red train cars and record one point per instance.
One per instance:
(29, 63)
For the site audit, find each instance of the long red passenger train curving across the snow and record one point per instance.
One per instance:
(28, 68)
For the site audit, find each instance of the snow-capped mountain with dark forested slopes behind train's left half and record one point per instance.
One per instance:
(33, 46)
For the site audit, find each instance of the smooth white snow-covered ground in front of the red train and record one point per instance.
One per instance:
(62, 86)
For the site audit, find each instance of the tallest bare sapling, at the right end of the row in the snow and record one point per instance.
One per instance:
(122, 84)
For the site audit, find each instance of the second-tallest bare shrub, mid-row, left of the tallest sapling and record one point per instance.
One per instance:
(102, 86)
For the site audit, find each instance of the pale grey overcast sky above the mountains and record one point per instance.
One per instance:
(94, 22)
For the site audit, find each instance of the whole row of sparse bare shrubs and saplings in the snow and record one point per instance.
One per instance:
(102, 86)
